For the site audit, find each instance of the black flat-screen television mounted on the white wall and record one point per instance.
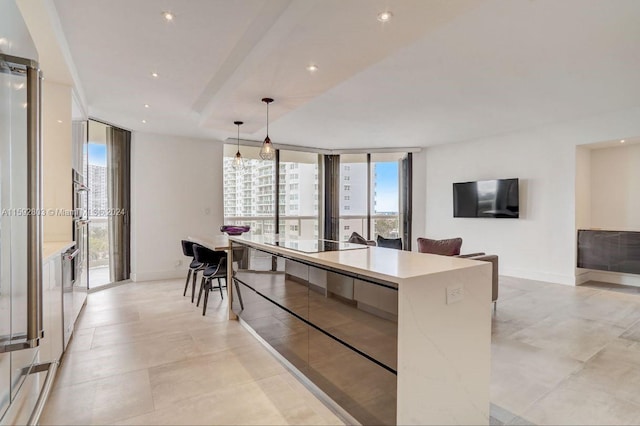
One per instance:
(497, 198)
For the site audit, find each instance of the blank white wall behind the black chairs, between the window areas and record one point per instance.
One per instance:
(176, 191)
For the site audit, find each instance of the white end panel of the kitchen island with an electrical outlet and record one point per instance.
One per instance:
(444, 350)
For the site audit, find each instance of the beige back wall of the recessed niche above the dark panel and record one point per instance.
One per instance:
(615, 188)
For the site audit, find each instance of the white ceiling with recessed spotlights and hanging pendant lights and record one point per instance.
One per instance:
(439, 71)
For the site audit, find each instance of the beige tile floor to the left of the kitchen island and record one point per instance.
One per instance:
(143, 354)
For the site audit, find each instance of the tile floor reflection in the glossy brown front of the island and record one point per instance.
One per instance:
(359, 385)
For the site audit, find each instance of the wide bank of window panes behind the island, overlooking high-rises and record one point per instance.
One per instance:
(370, 188)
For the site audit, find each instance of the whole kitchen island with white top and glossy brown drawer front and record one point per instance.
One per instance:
(391, 337)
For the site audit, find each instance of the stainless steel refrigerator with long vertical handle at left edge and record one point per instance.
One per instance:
(20, 221)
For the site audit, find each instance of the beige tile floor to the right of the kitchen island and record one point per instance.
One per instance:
(566, 355)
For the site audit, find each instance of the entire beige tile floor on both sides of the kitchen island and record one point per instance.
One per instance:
(143, 354)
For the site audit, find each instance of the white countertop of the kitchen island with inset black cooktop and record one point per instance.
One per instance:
(382, 263)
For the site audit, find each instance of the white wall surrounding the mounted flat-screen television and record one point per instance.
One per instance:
(541, 244)
